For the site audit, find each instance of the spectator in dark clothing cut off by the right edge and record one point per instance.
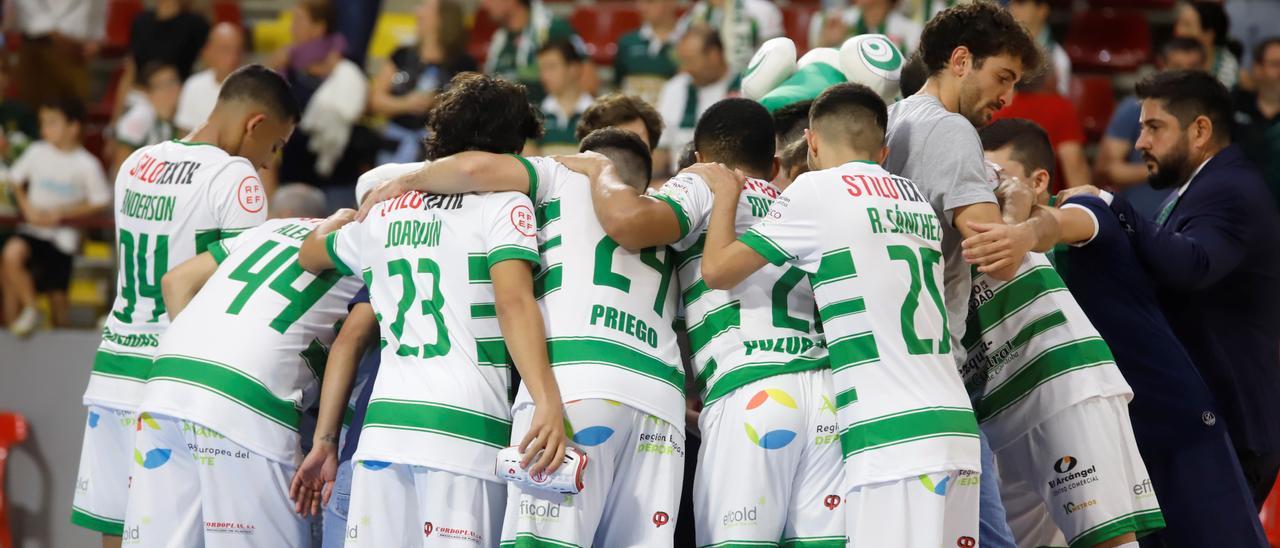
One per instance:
(1258, 115)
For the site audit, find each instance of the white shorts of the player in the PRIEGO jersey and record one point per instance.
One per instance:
(632, 483)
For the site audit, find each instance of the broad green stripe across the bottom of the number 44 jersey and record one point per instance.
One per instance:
(230, 383)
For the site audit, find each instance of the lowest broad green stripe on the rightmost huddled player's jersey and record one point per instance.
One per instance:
(1055, 362)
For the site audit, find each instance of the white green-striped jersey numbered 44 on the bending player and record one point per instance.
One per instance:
(248, 354)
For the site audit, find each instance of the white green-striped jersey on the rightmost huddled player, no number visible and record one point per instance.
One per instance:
(1032, 351)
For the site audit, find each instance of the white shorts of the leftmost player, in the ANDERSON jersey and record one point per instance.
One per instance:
(103, 482)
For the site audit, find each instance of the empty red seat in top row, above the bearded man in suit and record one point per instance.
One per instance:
(1108, 42)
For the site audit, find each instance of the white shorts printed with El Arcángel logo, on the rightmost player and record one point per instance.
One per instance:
(1084, 465)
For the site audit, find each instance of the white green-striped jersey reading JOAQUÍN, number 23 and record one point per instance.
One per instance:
(441, 399)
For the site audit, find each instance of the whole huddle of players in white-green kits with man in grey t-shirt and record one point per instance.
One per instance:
(825, 317)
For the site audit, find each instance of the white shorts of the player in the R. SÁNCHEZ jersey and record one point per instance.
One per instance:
(927, 512)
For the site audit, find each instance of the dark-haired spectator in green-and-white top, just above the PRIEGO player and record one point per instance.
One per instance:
(560, 67)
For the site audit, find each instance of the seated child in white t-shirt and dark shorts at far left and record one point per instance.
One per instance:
(56, 180)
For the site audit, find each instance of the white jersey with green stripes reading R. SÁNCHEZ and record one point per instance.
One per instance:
(871, 245)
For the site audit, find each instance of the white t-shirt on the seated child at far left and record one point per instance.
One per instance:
(57, 179)
